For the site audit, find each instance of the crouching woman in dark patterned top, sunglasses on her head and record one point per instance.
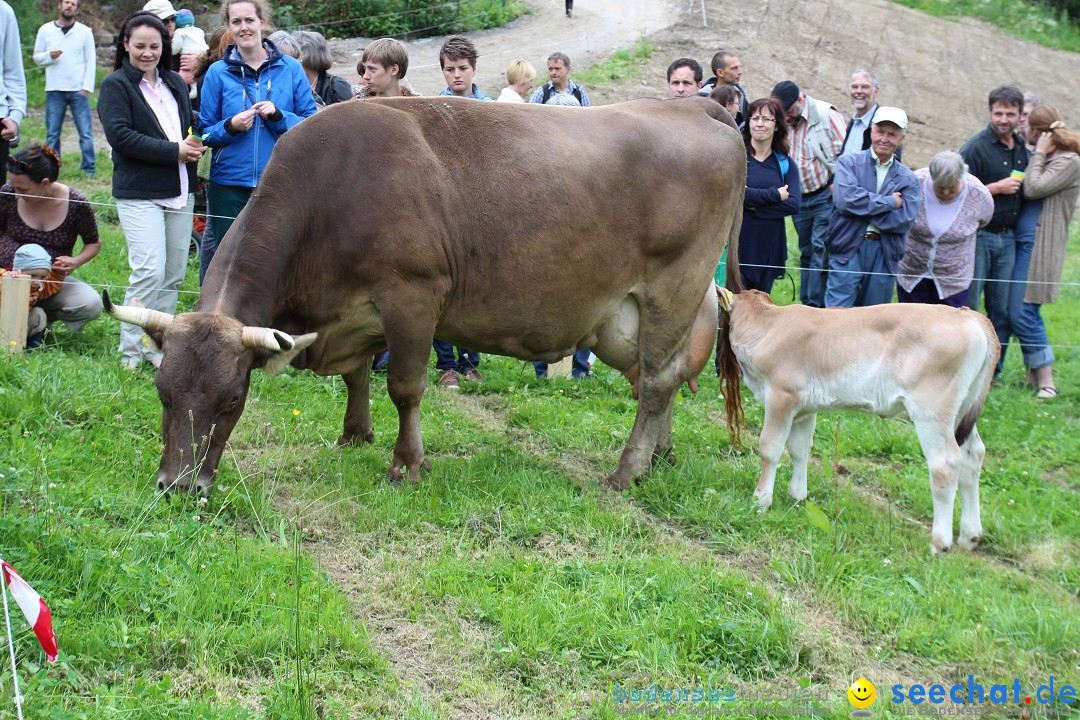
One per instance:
(37, 210)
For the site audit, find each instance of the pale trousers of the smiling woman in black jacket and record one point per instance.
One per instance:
(158, 242)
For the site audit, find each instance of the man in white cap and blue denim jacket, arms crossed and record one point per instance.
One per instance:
(875, 200)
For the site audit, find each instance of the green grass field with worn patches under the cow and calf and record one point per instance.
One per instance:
(509, 585)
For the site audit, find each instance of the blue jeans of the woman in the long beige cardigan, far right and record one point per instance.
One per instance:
(1025, 323)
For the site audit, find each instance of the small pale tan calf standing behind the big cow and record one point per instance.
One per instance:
(934, 362)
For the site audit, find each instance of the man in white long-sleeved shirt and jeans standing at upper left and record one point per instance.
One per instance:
(66, 50)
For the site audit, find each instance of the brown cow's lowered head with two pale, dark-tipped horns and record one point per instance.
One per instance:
(202, 384)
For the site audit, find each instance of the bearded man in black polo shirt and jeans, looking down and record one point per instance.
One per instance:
(998, 158)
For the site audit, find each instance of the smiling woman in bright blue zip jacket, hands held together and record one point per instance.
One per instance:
(249, 100)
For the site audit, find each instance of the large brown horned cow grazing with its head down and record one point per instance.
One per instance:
(640, 199)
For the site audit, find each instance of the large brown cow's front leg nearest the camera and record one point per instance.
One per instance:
(407, 376)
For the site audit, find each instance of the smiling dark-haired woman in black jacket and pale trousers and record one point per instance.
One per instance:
(146, 115)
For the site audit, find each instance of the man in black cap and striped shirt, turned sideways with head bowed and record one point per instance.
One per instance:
(817, 137)
